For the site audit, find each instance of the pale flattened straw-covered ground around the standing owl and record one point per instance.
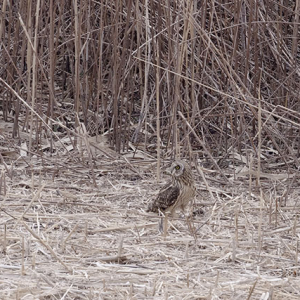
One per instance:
(64, 238)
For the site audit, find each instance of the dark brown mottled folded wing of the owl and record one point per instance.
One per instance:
(166, 197)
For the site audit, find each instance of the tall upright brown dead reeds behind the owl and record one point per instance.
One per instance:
(129, 68)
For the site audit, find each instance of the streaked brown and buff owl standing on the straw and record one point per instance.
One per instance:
(177, 193)
